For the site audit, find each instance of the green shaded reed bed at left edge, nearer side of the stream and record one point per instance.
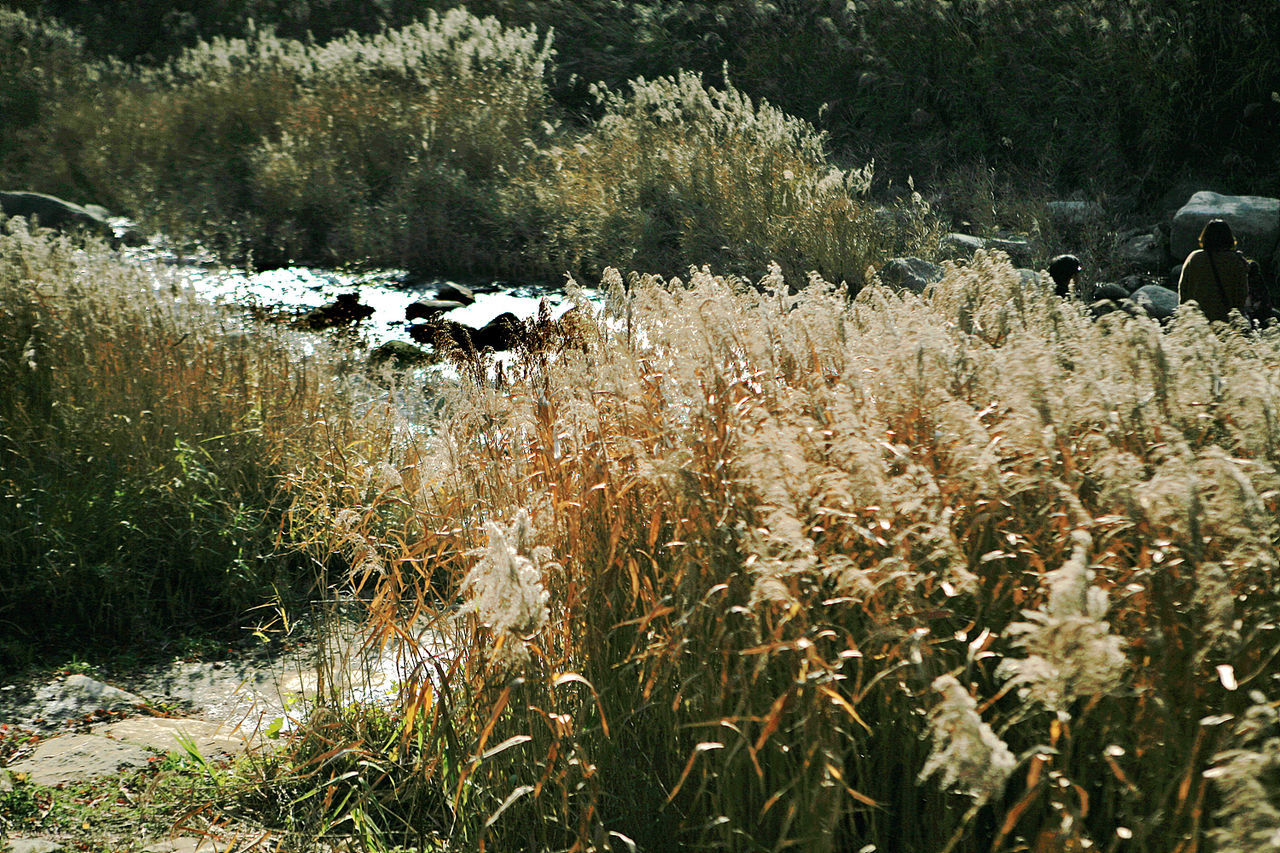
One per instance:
(143, 436)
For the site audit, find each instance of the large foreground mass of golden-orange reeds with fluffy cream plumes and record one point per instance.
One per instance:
(753, 572)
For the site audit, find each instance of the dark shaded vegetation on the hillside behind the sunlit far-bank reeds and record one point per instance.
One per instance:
(1098, 95)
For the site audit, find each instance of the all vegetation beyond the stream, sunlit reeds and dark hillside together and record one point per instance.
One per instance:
(534, 140)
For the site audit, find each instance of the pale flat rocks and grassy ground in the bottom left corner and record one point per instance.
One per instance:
(100, 763)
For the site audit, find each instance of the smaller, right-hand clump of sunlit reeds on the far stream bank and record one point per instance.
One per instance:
(678, 174)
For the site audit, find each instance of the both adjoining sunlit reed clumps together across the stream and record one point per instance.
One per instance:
(435, 148)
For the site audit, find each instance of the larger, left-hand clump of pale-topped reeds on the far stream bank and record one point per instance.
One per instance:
(385, 148)
